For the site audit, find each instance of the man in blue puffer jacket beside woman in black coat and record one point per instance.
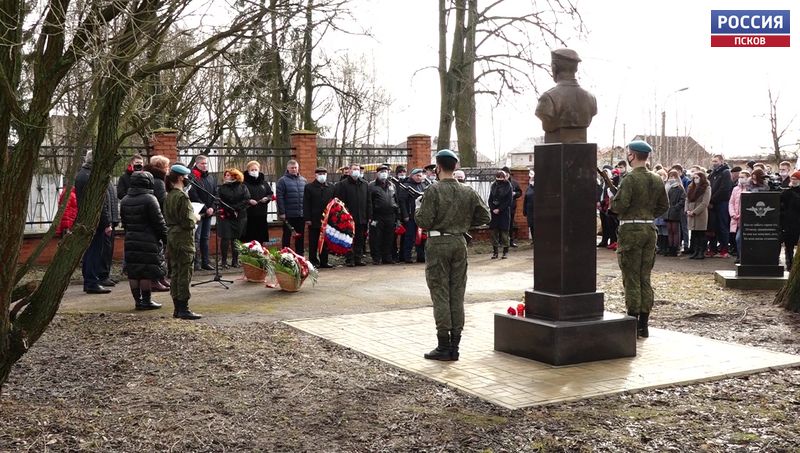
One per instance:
(289, 196)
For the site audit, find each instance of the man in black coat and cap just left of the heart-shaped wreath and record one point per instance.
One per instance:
(316, 196)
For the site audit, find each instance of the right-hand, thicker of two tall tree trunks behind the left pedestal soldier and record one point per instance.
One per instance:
(465, 106)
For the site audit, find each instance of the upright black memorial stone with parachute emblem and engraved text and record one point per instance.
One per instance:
(761, 235)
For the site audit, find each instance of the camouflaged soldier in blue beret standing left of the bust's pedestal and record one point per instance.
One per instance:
(447, 210)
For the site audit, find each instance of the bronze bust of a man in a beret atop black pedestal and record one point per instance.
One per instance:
(566, 110)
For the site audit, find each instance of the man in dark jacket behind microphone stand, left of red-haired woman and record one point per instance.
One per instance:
(202, 177)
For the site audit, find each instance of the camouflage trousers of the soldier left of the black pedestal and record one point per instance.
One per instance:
(446, 275)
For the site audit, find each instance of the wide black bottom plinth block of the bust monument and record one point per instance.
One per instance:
(610, 336)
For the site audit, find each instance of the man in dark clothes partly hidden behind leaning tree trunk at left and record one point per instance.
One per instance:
(94, 268)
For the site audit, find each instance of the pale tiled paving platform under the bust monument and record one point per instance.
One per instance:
(666, 358)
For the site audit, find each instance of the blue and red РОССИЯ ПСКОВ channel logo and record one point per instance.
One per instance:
(750, 28)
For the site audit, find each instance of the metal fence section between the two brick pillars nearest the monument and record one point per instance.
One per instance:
(335, 159)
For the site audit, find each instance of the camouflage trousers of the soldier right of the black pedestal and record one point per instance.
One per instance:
(636, 254)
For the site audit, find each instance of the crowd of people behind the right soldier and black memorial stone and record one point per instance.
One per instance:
(704, 214)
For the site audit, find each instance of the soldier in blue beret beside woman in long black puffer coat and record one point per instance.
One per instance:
(181, 219)
